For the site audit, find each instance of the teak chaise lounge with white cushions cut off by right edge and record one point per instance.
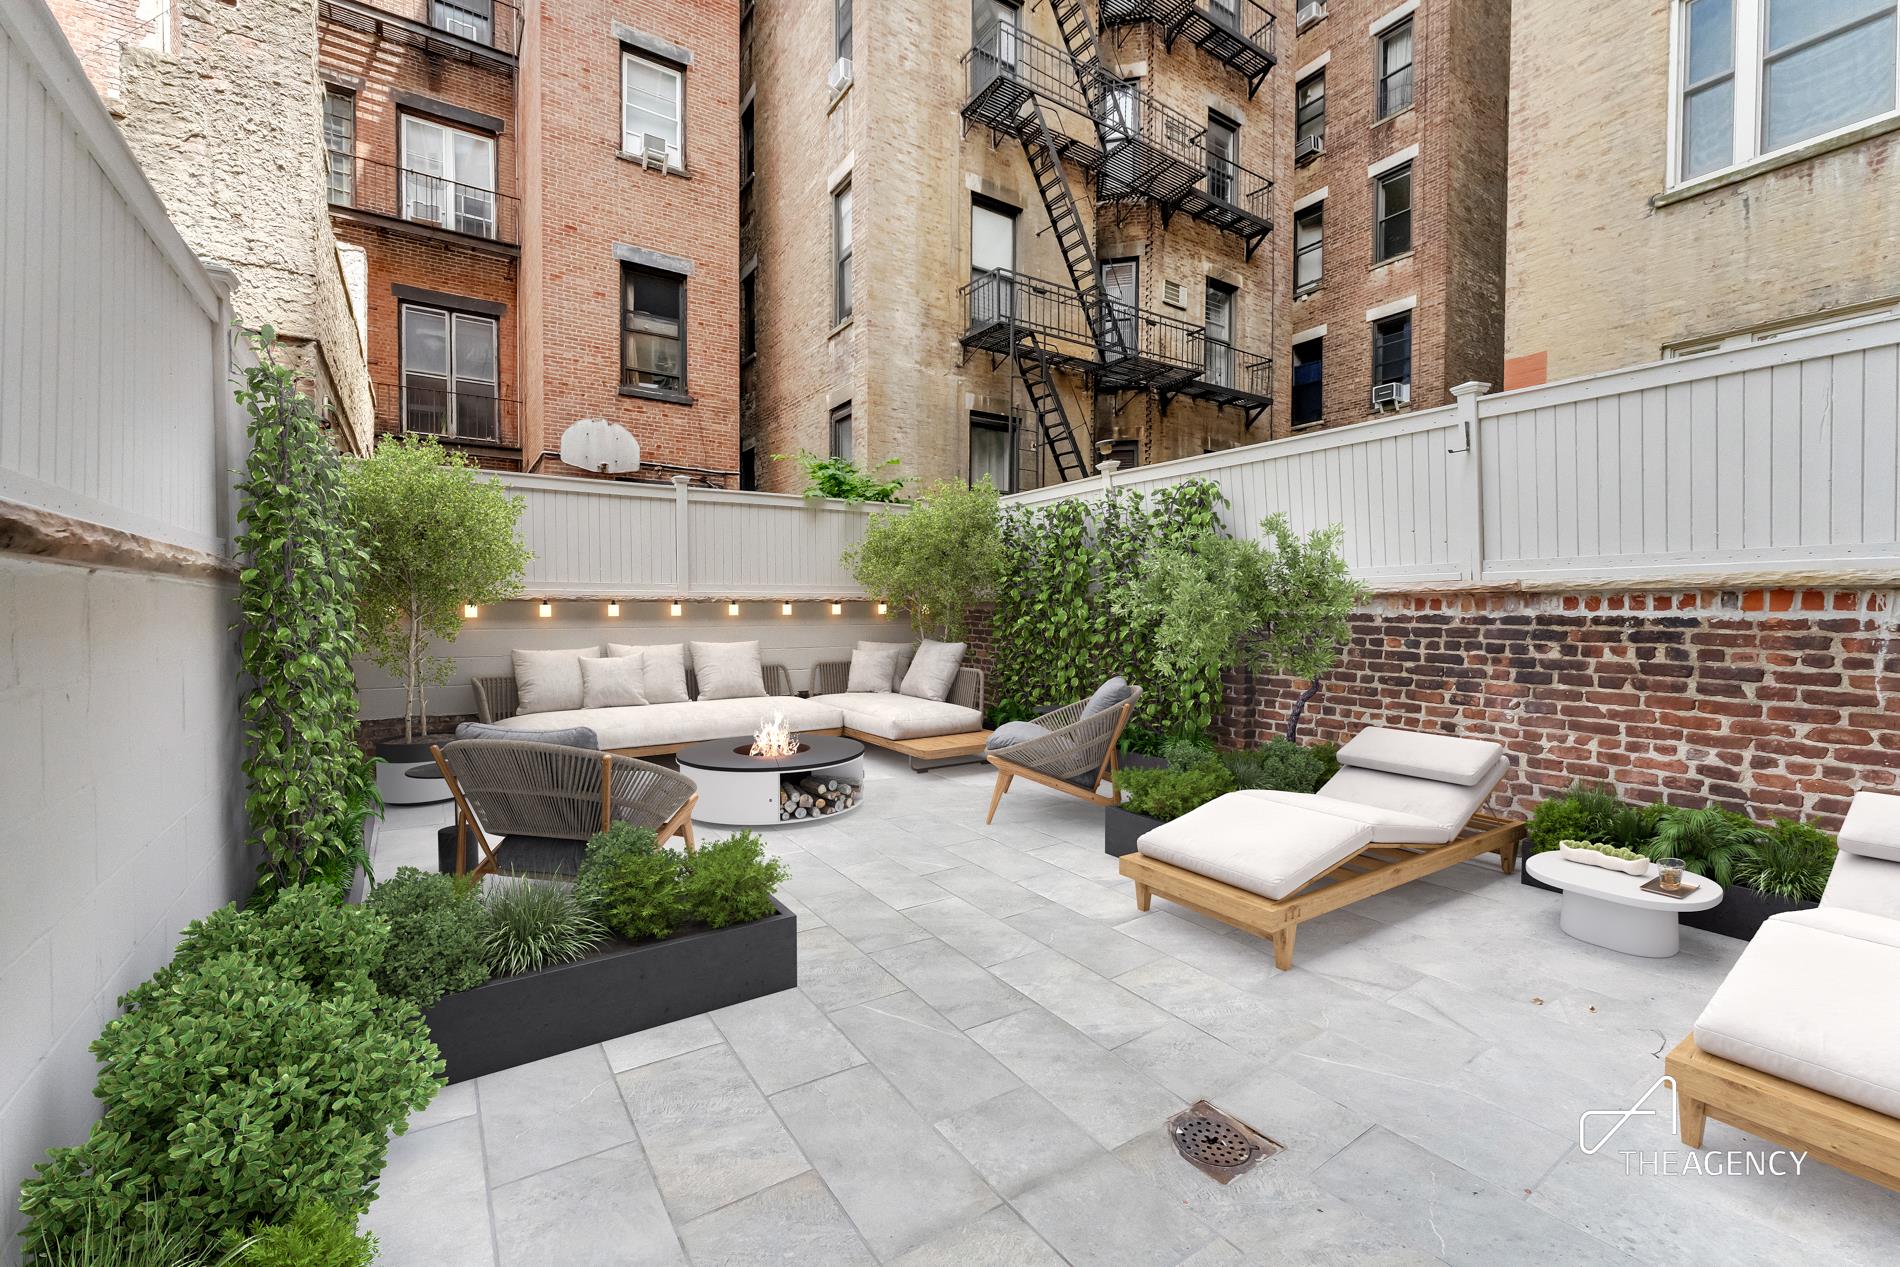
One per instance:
(1802, 1042)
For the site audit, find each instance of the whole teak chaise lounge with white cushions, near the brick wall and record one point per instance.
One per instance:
(1405, 804)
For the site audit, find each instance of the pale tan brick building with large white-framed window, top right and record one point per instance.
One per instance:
(1671, 195)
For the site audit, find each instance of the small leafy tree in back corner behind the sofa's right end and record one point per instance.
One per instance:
(938, 559)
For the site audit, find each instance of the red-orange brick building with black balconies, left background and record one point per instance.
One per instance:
(548, 206)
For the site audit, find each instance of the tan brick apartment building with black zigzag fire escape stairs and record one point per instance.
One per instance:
(1008, 238)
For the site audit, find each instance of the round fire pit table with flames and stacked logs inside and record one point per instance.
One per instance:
(824, 780)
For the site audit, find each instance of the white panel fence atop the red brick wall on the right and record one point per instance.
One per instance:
(1776, 461)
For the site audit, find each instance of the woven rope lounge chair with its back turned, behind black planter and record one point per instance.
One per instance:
(537, 801)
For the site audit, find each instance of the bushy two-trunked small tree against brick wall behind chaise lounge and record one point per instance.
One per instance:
(1274, 607)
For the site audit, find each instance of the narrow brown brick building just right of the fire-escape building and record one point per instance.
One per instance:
(1399, 204)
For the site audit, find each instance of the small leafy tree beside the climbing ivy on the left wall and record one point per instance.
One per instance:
(438, 539)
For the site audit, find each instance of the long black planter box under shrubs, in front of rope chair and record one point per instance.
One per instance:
(624, 991)
